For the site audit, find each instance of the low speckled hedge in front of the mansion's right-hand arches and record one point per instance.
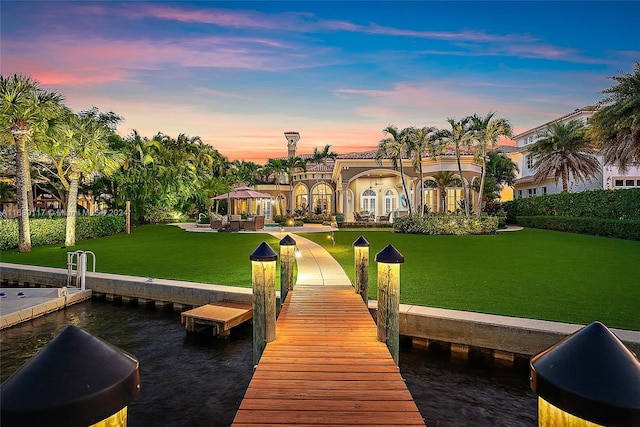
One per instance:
(446, 224)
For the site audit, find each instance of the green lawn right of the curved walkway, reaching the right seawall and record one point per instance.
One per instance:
(532, 273)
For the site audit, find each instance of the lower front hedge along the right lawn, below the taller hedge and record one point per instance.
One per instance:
(629, 230)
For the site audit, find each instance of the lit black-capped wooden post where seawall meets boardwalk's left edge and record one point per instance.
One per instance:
(263, 278)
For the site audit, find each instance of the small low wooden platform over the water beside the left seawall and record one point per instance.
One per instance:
(221, 315)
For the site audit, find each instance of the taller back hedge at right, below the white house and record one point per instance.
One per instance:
(606, 204)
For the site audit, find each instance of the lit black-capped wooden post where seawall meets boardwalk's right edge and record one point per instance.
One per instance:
(389, 260)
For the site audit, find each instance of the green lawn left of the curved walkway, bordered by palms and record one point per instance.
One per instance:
(161, 251)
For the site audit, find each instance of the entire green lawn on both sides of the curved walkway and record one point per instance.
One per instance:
(531, 273)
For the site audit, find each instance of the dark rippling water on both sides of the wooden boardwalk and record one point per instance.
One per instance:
(200, 381)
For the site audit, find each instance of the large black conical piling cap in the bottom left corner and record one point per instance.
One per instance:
(76, 380)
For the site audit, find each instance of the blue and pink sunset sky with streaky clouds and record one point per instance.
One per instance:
(239, 74)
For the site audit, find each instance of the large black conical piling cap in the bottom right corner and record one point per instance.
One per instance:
(592, 375)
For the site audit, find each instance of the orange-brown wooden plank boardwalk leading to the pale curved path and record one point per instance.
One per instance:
(326, 368)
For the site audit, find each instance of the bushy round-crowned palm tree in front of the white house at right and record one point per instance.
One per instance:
(564, 150)
